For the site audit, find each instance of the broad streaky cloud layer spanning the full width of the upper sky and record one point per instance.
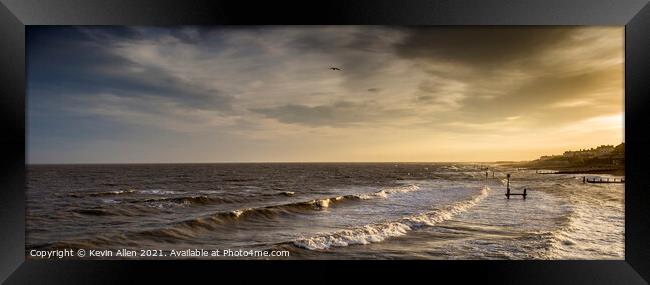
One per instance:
(472, 73)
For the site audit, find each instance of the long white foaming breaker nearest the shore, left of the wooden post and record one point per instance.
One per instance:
(378, 232)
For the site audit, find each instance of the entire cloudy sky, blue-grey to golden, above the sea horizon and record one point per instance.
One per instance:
(267, 94)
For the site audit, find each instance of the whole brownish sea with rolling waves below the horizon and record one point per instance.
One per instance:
(325, 210)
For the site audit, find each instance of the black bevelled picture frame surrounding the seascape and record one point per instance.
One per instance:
(15, 14)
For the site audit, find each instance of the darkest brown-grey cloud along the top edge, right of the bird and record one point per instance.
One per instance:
(480, 47)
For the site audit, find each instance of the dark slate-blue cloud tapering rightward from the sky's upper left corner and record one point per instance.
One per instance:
(90, 61)
